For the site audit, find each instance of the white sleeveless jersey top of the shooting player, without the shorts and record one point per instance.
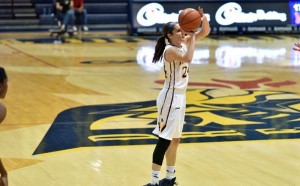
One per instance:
(176, 72)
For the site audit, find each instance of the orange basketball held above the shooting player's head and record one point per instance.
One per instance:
(189, 19)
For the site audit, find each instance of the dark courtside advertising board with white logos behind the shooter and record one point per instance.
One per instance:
(239, 16)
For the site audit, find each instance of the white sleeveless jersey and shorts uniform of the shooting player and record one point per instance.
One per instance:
(171, 101)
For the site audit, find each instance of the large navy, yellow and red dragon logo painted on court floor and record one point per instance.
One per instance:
(233, 111)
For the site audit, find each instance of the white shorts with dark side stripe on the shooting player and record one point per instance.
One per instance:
(171, 107)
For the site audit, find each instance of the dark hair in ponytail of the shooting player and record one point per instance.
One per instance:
(161, 42)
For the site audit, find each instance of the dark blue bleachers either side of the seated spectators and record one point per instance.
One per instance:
(38, 14)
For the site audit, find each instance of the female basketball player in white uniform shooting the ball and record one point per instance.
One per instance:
(175, 48)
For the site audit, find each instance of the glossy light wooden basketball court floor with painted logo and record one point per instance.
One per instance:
(82, 112)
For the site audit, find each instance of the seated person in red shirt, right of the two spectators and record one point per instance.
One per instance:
(80, 14)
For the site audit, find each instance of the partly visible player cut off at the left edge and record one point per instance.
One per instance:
(3, 90)
